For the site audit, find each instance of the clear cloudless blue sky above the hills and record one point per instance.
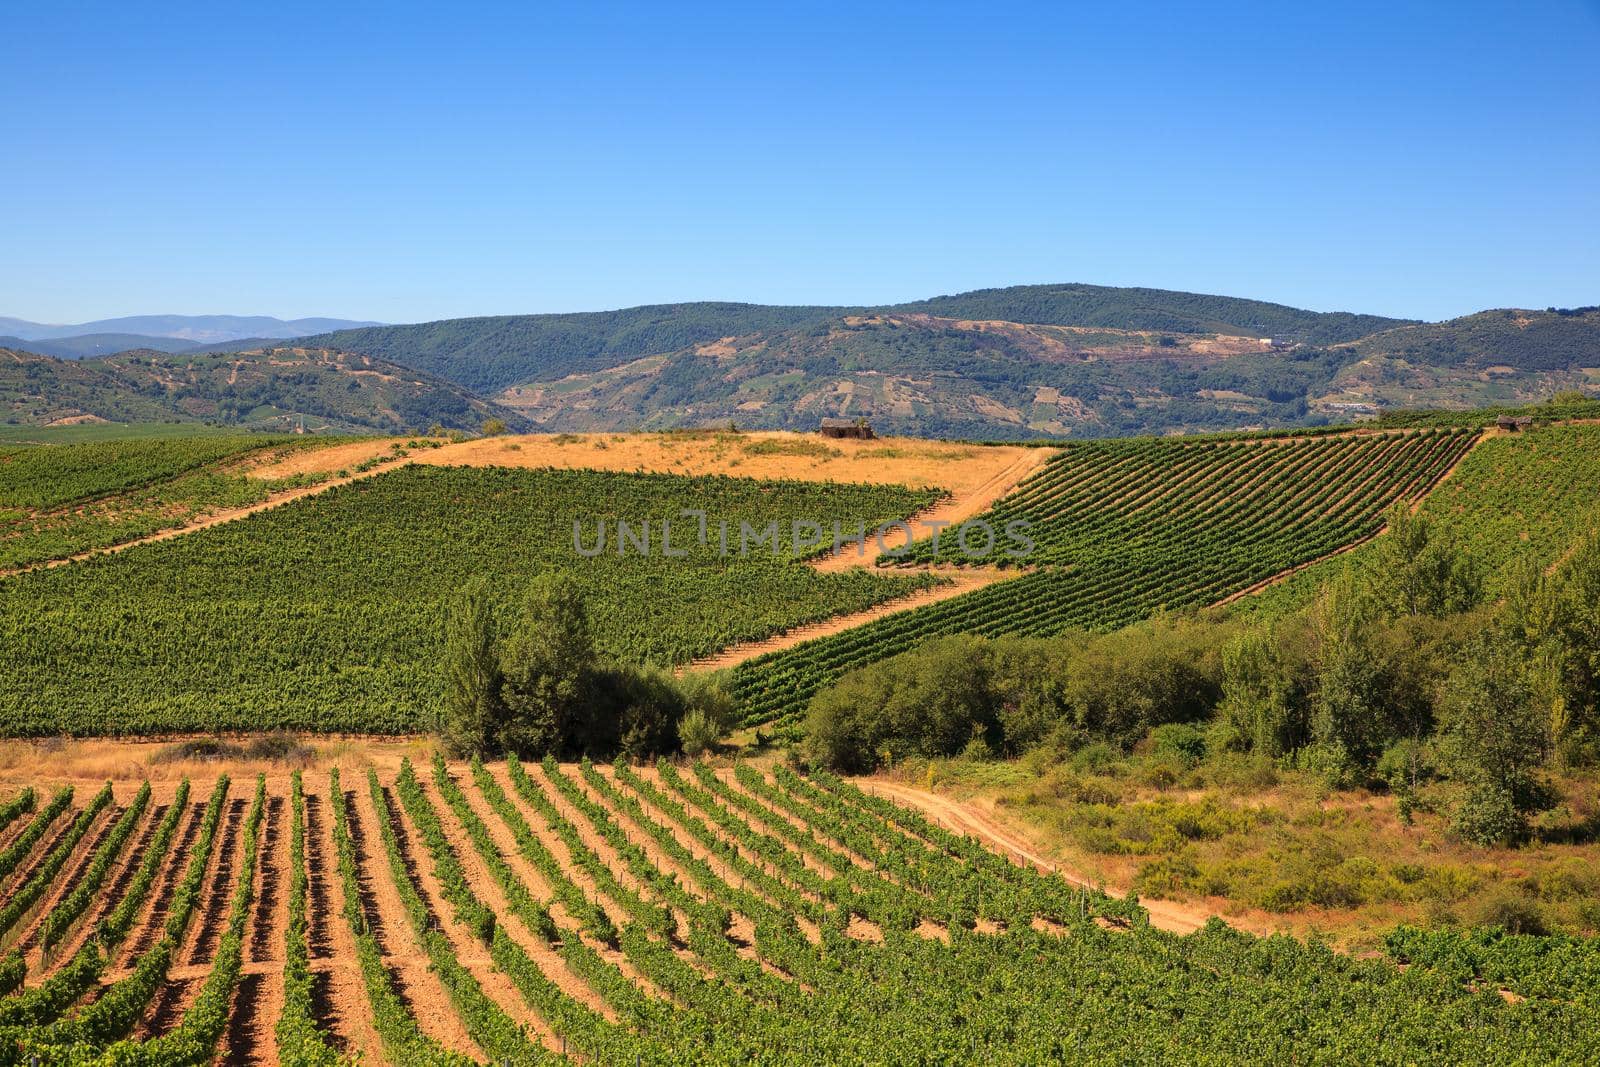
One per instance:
(422, 162)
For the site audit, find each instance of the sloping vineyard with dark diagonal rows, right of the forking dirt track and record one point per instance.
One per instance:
(1129, 529)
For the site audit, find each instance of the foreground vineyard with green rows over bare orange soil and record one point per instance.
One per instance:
(532, 914)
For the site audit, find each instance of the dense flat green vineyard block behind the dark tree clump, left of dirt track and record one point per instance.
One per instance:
(326, 613)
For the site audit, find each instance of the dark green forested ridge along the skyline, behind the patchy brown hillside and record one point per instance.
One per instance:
(490, 354)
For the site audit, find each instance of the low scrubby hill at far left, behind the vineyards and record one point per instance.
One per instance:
(278, 390)
